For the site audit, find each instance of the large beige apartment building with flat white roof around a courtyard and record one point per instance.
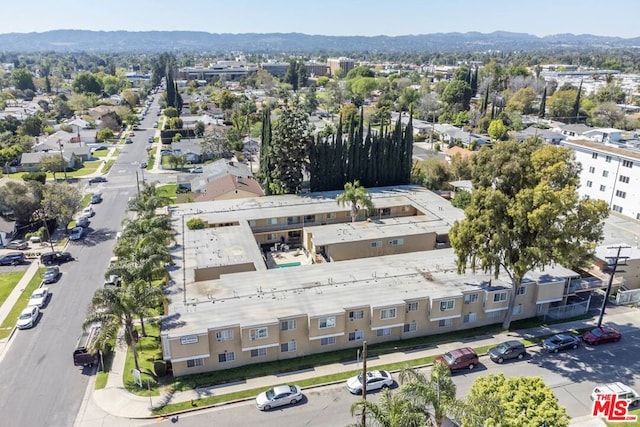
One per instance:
(387, 277)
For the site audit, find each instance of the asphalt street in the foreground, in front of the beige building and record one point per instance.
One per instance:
(571, 374)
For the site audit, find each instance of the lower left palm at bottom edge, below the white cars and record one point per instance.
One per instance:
(390, 411)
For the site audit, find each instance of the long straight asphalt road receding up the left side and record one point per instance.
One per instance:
(39, 386)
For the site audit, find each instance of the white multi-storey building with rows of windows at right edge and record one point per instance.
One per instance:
(609, 173)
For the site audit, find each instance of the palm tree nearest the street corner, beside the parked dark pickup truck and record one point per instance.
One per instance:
(113, 308)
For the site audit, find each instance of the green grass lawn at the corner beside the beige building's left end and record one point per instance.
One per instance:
(148, 351)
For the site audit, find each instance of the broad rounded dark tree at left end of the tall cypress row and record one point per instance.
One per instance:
(290, 141)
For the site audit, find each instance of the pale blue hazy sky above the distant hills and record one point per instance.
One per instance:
(328, 17)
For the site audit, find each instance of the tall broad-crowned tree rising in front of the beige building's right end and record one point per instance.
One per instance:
(525, 213)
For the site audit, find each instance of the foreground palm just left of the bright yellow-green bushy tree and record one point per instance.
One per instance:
(435, 395)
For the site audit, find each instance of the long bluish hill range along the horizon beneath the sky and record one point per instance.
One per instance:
(168, 41)
